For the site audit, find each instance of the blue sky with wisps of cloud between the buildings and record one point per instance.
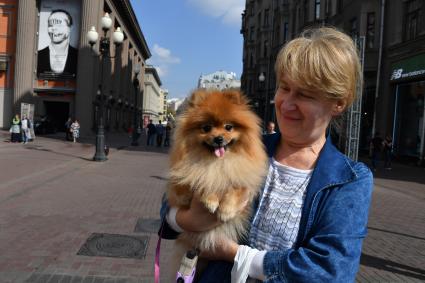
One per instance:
(188, 38)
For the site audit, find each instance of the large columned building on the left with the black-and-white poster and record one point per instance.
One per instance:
(62, 75)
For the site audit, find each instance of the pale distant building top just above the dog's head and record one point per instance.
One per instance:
(219, 80)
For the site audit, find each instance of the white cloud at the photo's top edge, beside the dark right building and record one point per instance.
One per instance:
(229, 11)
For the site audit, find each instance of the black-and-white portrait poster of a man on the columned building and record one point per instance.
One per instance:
(59, 28)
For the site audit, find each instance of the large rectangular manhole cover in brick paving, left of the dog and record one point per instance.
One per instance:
(114, 245)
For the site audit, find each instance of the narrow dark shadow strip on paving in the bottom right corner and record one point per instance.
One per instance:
(391, 266)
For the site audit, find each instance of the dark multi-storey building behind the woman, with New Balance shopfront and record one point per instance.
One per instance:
(392, 37)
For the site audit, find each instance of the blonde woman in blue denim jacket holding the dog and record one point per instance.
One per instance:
(310, 226)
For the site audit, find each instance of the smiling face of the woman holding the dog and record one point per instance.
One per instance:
(303, 115)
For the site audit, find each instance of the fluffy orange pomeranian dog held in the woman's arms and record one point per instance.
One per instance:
(218, 154)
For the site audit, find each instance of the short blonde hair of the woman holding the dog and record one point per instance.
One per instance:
(322, 59)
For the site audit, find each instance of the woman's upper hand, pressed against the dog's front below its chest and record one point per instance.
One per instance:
(196, 218)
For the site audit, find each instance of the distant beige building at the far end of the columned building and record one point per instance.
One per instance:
(152, 97)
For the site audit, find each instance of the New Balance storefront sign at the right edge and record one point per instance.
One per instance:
(408, 68)
